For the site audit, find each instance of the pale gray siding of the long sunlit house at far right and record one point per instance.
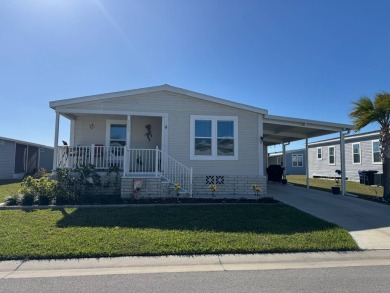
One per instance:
(321, 167)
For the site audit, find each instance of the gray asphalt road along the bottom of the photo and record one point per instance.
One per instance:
(347, 279)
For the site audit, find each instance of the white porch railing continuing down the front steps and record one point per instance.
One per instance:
(131, 161)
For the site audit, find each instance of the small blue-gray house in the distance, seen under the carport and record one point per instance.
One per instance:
(295, 161)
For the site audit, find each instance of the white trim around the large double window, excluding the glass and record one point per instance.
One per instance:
(214, 137)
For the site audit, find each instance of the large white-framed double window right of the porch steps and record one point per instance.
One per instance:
(213, 138)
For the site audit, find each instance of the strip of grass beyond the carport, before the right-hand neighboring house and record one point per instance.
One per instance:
(326, 184)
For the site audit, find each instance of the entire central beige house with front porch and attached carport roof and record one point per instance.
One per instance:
(165, 134)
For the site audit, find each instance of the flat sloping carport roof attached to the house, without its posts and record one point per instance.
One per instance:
(278, 129)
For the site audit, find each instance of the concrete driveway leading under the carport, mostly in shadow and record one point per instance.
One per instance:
(368, 222)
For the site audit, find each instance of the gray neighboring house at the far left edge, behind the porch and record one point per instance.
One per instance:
(18, 158)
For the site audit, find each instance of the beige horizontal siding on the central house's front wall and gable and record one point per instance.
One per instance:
(179, 108)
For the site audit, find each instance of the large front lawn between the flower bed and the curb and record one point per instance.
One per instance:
(165, 230)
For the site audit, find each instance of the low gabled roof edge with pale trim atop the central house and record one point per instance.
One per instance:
(154, 89)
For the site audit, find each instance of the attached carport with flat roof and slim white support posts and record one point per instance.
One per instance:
(283, 130)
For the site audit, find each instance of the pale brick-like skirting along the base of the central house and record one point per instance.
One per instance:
(226, 185)
